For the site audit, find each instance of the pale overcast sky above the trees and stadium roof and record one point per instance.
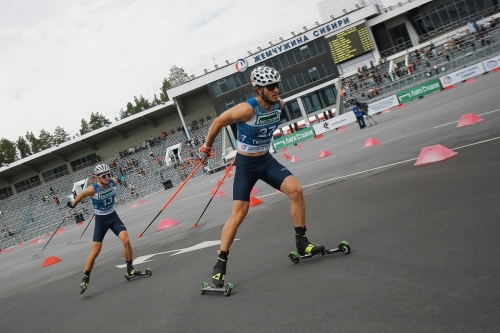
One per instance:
(61, 60)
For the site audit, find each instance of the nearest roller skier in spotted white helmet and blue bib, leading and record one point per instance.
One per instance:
(256, 120)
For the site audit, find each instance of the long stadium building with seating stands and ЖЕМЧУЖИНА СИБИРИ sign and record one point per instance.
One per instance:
(358, 50)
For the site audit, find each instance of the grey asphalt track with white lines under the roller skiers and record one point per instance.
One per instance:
(424, 241)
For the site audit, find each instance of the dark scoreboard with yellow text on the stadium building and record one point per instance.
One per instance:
(350, 43)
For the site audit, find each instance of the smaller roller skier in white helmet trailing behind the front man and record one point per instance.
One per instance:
(103, 194)
